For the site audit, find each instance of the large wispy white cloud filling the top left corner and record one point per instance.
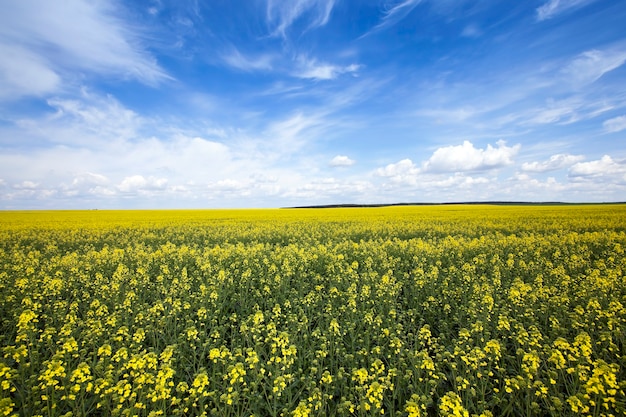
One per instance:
(43, 40)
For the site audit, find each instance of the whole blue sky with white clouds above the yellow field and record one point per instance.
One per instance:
(270, 103)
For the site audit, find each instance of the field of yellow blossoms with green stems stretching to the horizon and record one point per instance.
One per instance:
(399, 311)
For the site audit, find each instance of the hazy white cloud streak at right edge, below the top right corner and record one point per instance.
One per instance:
(591, 65)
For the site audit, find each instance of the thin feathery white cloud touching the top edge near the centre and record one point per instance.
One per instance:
(281, 15)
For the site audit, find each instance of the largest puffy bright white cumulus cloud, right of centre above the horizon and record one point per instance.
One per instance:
(466, 157)
